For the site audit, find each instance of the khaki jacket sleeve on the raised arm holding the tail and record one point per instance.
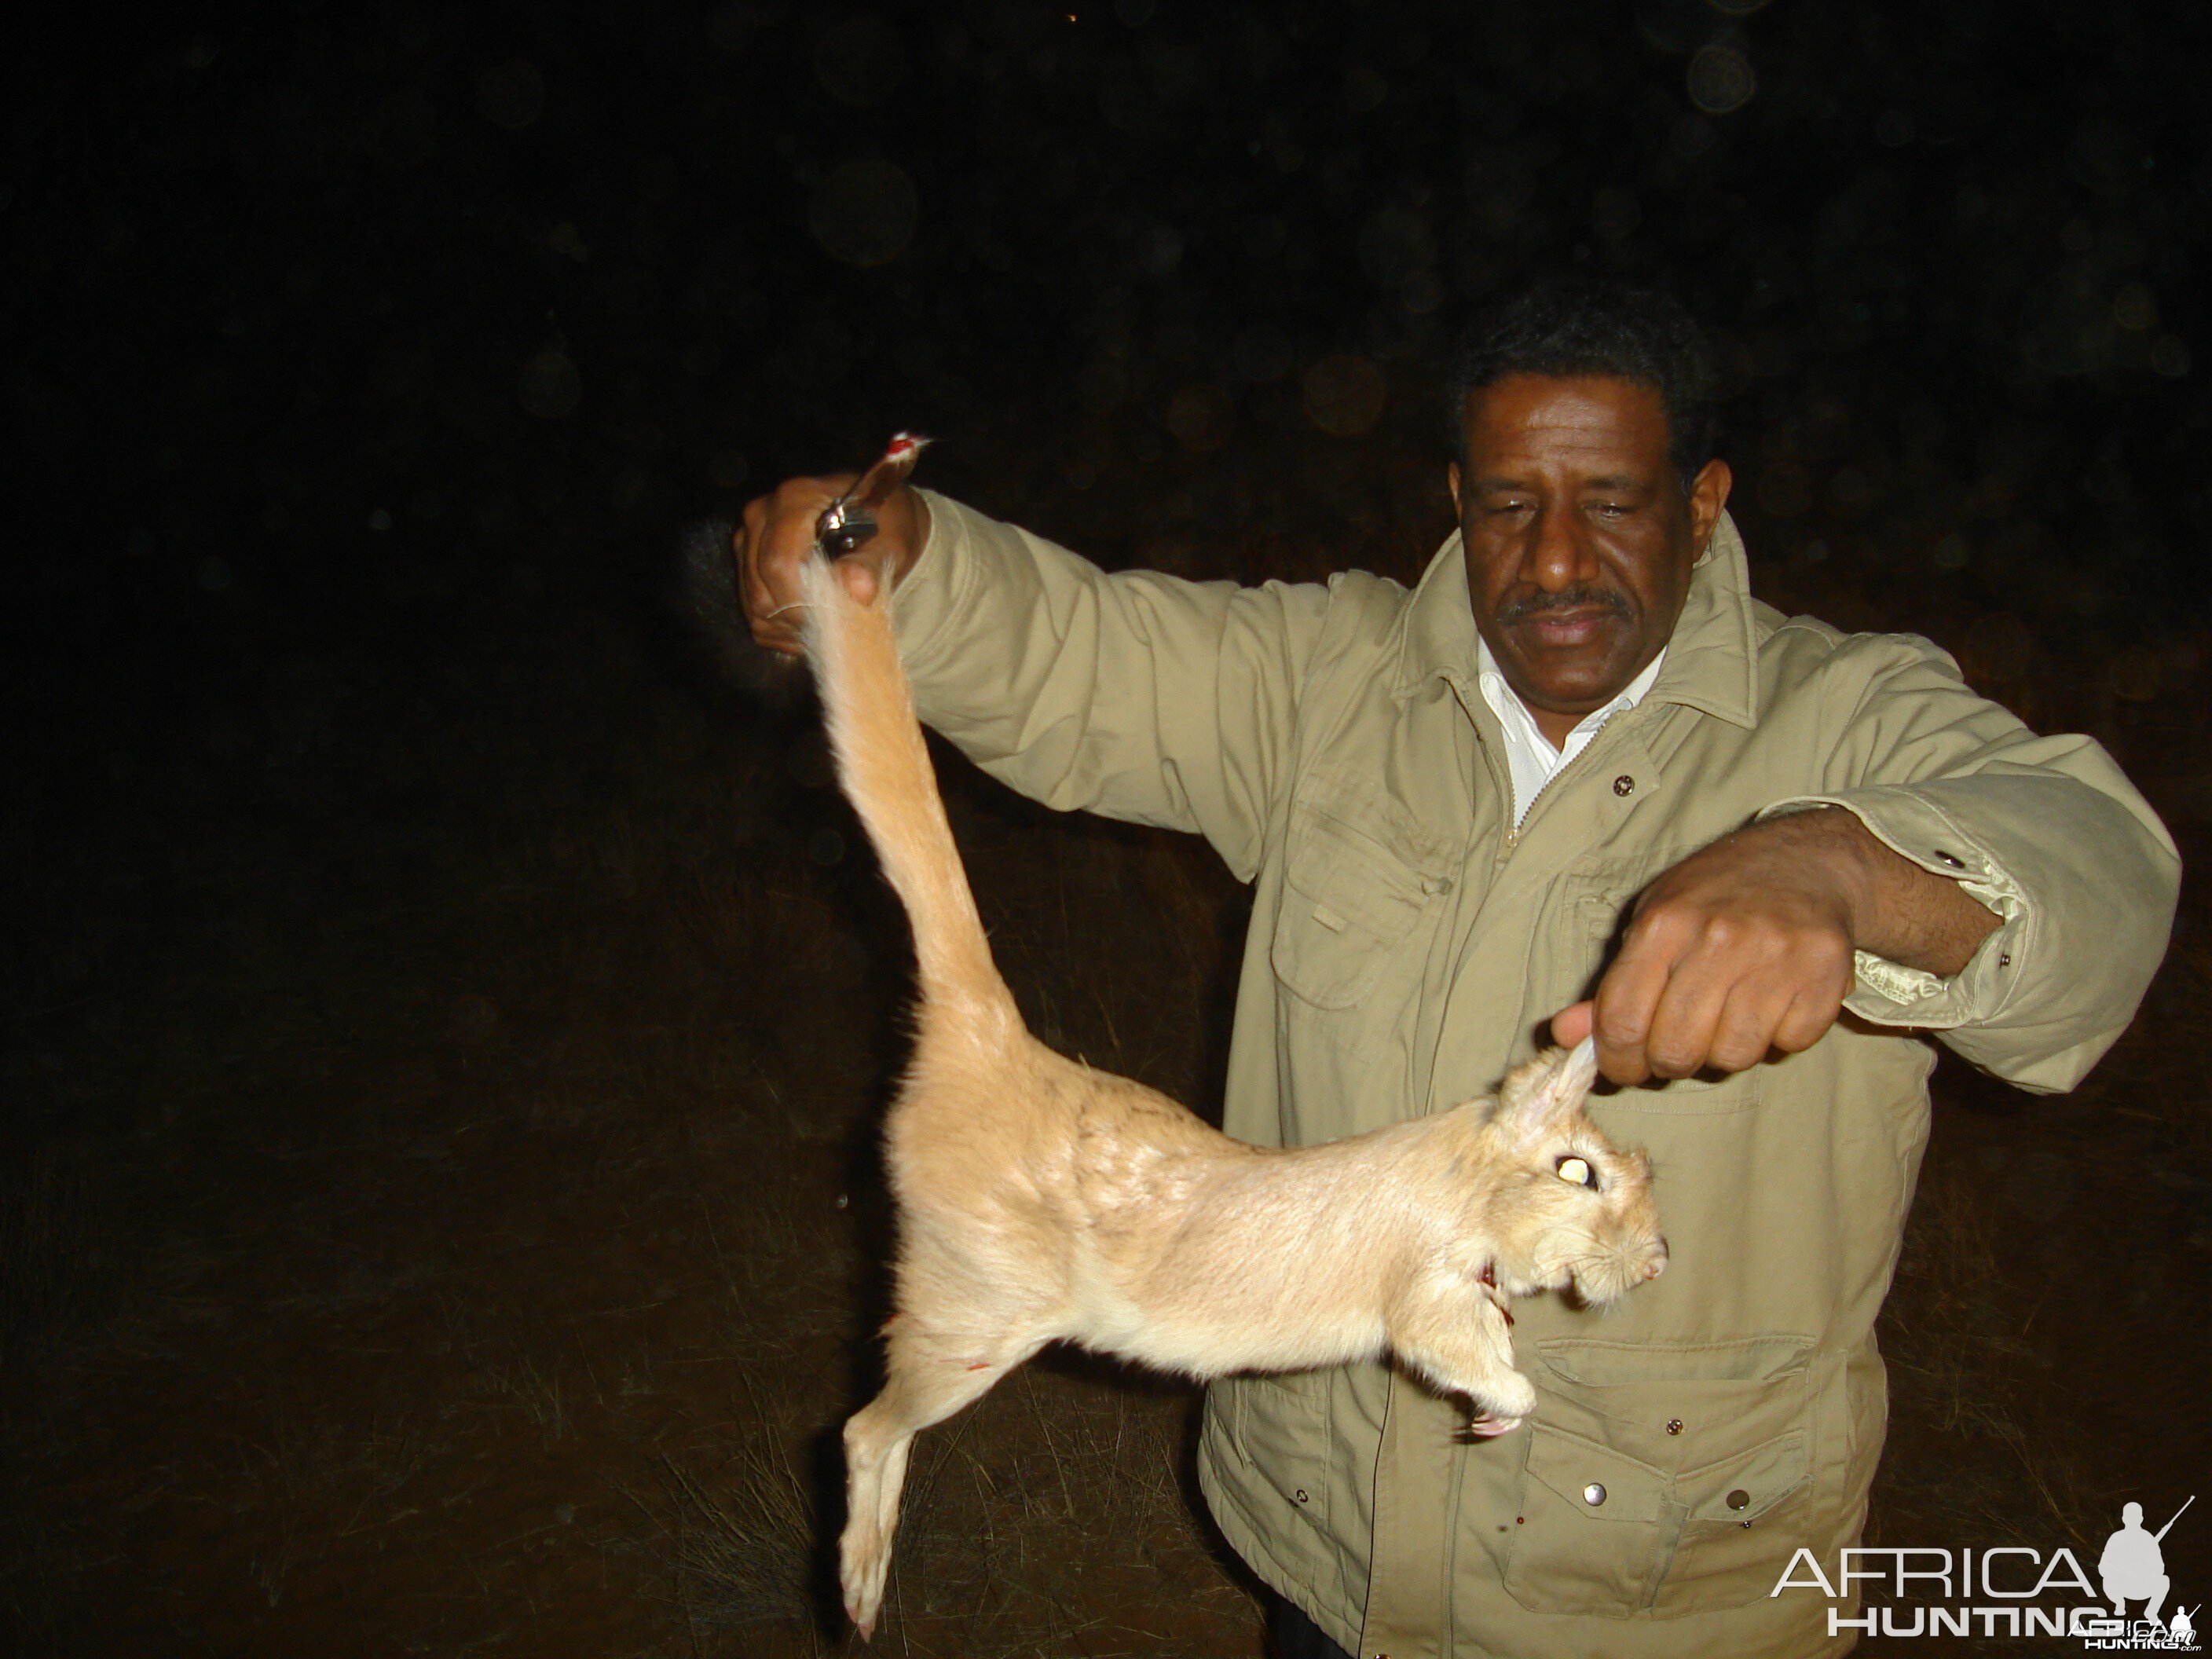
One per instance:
(1134, 696)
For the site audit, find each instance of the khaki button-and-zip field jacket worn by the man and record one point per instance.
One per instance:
(1408, 948)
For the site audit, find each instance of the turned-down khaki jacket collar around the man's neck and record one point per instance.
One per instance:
(1711, 662)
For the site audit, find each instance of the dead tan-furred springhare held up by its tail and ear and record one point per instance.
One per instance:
(1045, 1202)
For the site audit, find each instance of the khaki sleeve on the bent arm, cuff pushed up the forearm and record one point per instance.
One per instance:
(2043, 831)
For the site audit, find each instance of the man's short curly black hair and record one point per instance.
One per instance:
(1594, 326)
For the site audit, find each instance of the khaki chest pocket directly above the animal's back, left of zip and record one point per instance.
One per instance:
(1350, 901)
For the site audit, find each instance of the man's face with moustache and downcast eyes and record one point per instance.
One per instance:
(1578, 536)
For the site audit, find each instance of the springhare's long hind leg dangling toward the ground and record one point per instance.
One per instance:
(932, 1377)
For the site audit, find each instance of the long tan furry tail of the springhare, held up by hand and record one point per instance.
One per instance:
(886, 771)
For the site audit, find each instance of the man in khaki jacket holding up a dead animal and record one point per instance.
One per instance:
(1576, 778)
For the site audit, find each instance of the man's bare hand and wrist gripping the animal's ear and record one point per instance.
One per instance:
(1746, 946)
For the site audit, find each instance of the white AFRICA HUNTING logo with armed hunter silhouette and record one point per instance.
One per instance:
(2012, 1592)
